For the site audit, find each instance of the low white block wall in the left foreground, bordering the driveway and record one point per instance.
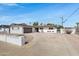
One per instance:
(13, 39)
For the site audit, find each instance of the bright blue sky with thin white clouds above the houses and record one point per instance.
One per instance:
(39, 12)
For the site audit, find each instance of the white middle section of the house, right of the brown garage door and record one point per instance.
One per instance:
(45, 28)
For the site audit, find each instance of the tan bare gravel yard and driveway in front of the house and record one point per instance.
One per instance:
(43, 44)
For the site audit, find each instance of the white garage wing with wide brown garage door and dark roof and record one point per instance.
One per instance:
(20, 29)
